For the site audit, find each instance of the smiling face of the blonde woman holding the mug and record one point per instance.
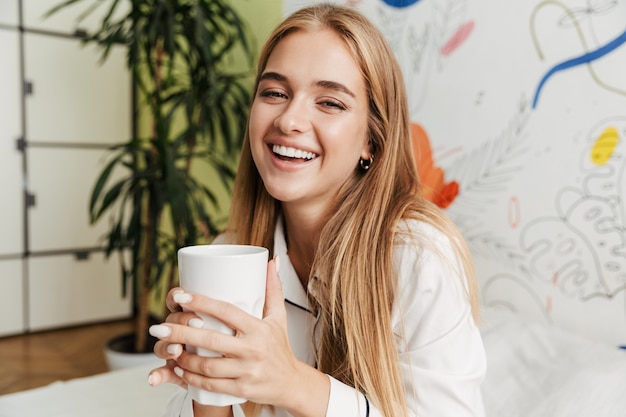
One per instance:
(308, 122)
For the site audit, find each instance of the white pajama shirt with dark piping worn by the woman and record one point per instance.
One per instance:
(440, 349)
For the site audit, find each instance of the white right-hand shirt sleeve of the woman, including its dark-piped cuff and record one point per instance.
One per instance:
(440, 350)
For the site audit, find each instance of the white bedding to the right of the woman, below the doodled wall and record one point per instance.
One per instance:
(536, 370)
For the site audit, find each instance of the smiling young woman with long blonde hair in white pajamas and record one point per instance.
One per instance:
(374, 311)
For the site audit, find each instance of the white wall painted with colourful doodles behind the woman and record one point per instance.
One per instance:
(520, 107)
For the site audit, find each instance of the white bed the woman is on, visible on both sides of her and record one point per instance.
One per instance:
(535, 370)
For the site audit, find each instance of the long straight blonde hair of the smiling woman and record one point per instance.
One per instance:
(353, 260)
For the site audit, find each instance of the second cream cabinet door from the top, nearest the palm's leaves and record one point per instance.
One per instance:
(74, 99)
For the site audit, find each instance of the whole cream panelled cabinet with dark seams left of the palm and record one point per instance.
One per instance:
(60, 108)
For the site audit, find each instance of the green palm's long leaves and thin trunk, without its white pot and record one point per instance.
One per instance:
(180, 55)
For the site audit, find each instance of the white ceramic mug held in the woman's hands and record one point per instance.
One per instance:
(232, 273)
